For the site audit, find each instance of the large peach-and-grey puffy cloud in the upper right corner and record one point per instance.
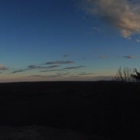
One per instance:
(122, 14)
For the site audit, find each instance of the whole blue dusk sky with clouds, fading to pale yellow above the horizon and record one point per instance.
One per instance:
(59, 40)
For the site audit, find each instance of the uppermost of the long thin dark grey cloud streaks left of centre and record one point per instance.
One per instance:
(59, 62)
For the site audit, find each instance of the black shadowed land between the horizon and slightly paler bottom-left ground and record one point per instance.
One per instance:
(107, 109)
